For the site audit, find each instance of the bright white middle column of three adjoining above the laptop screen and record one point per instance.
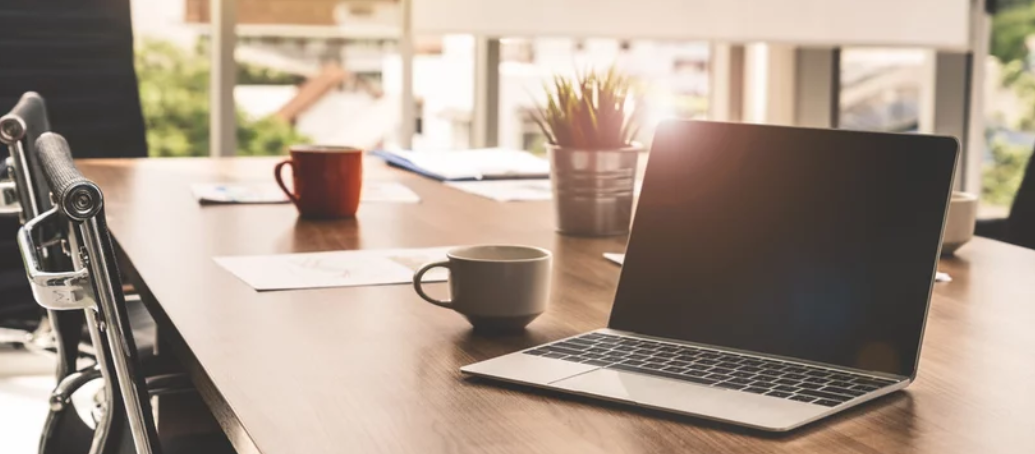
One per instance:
(770, 84)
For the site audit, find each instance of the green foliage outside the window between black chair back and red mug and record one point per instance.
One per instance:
(175, 98)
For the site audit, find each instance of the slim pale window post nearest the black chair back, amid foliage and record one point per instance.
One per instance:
(223, 124)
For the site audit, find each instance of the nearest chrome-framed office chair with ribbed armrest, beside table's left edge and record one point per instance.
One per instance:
(93, 286)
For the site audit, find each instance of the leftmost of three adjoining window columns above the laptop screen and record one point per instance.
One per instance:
(726, 82)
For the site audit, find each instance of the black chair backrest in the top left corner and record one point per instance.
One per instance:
(80, 54)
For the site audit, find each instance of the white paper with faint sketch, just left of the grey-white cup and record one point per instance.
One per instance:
(346, 268)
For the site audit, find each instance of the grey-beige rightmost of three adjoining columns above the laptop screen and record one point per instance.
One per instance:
(817, 87)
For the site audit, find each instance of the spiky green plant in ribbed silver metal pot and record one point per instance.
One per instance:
(590, 131)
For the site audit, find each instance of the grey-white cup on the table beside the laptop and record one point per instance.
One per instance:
(498, 289)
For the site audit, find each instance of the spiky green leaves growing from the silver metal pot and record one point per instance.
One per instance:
(588, 112)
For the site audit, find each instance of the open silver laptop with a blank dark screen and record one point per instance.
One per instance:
(774, 277)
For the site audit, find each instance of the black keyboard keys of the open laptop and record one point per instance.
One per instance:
(712, 368)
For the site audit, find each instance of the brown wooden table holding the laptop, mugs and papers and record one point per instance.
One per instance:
(376, 370)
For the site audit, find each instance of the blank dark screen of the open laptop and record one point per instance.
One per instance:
(805, 244)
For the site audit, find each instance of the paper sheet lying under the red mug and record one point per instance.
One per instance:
(265, 193)
